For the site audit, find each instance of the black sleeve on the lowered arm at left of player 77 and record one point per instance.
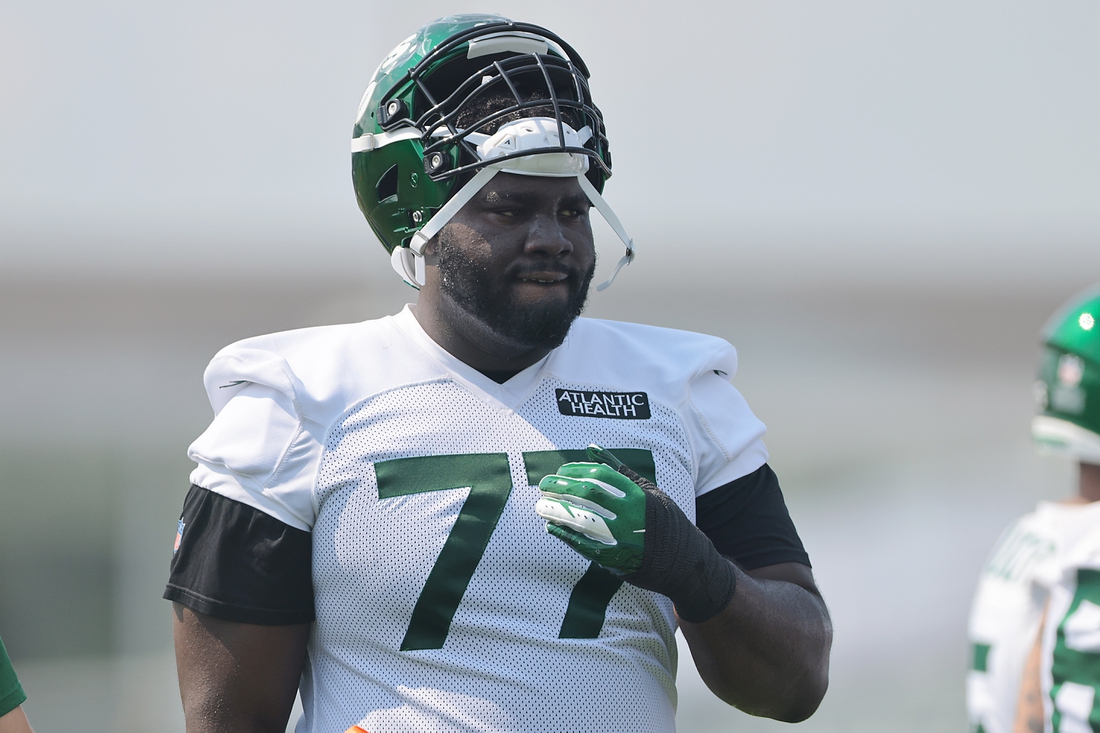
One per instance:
(239, 564)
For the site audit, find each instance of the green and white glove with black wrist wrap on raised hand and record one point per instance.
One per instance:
(624, 523)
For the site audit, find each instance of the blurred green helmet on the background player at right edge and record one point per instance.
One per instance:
(1069, 388)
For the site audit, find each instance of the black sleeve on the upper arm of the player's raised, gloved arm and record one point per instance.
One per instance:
(749, 522)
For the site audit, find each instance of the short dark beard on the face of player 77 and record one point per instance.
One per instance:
(468, 286)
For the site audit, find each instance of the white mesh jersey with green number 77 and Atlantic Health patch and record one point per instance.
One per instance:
(443, 605)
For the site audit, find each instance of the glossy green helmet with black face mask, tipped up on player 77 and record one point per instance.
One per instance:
(461, 100)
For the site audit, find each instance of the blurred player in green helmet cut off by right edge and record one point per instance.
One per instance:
(1036, 620)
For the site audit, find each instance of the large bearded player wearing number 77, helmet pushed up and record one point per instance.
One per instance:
(486, 513)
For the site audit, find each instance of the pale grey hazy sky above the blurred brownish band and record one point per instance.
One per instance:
(937, 143)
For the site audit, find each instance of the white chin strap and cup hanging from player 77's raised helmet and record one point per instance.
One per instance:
(529, 134)
